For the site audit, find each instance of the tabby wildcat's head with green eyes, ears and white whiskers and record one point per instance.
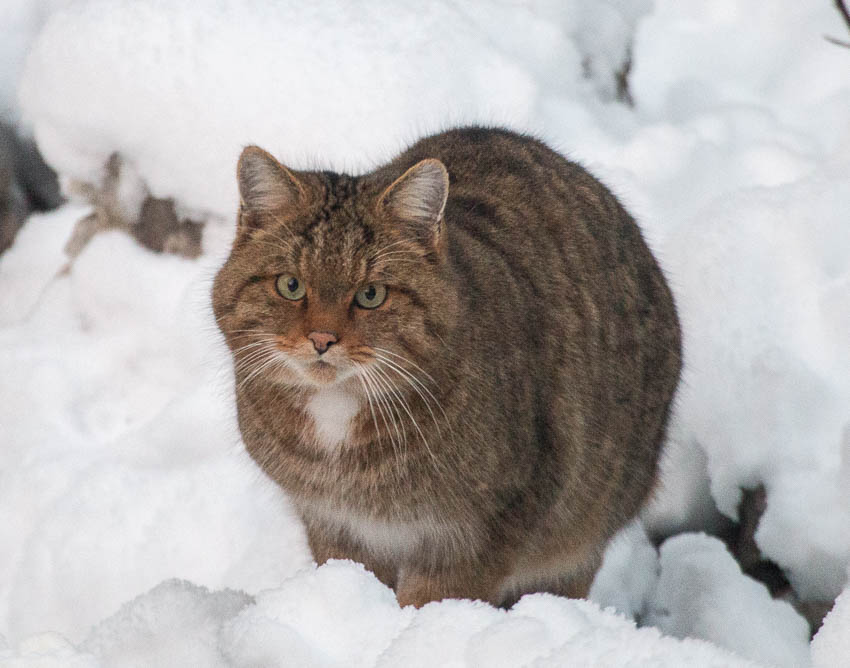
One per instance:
(336, 279)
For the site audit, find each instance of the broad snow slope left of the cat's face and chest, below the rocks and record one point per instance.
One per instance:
(119, 425)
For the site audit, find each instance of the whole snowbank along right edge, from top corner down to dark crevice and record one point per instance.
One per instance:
(756, 245)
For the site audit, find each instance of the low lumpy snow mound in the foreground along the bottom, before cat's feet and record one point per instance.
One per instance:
(341, 615)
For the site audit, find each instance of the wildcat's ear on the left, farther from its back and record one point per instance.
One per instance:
(265, 184)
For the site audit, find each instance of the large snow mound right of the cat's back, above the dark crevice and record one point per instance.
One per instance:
(775, 365)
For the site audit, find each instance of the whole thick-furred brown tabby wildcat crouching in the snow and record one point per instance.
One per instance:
(459, 366)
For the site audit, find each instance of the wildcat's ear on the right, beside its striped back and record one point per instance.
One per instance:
(418, 198)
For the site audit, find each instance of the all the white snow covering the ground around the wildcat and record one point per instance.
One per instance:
(134, 530)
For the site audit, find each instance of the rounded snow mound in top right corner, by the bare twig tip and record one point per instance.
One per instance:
(804, 87)
